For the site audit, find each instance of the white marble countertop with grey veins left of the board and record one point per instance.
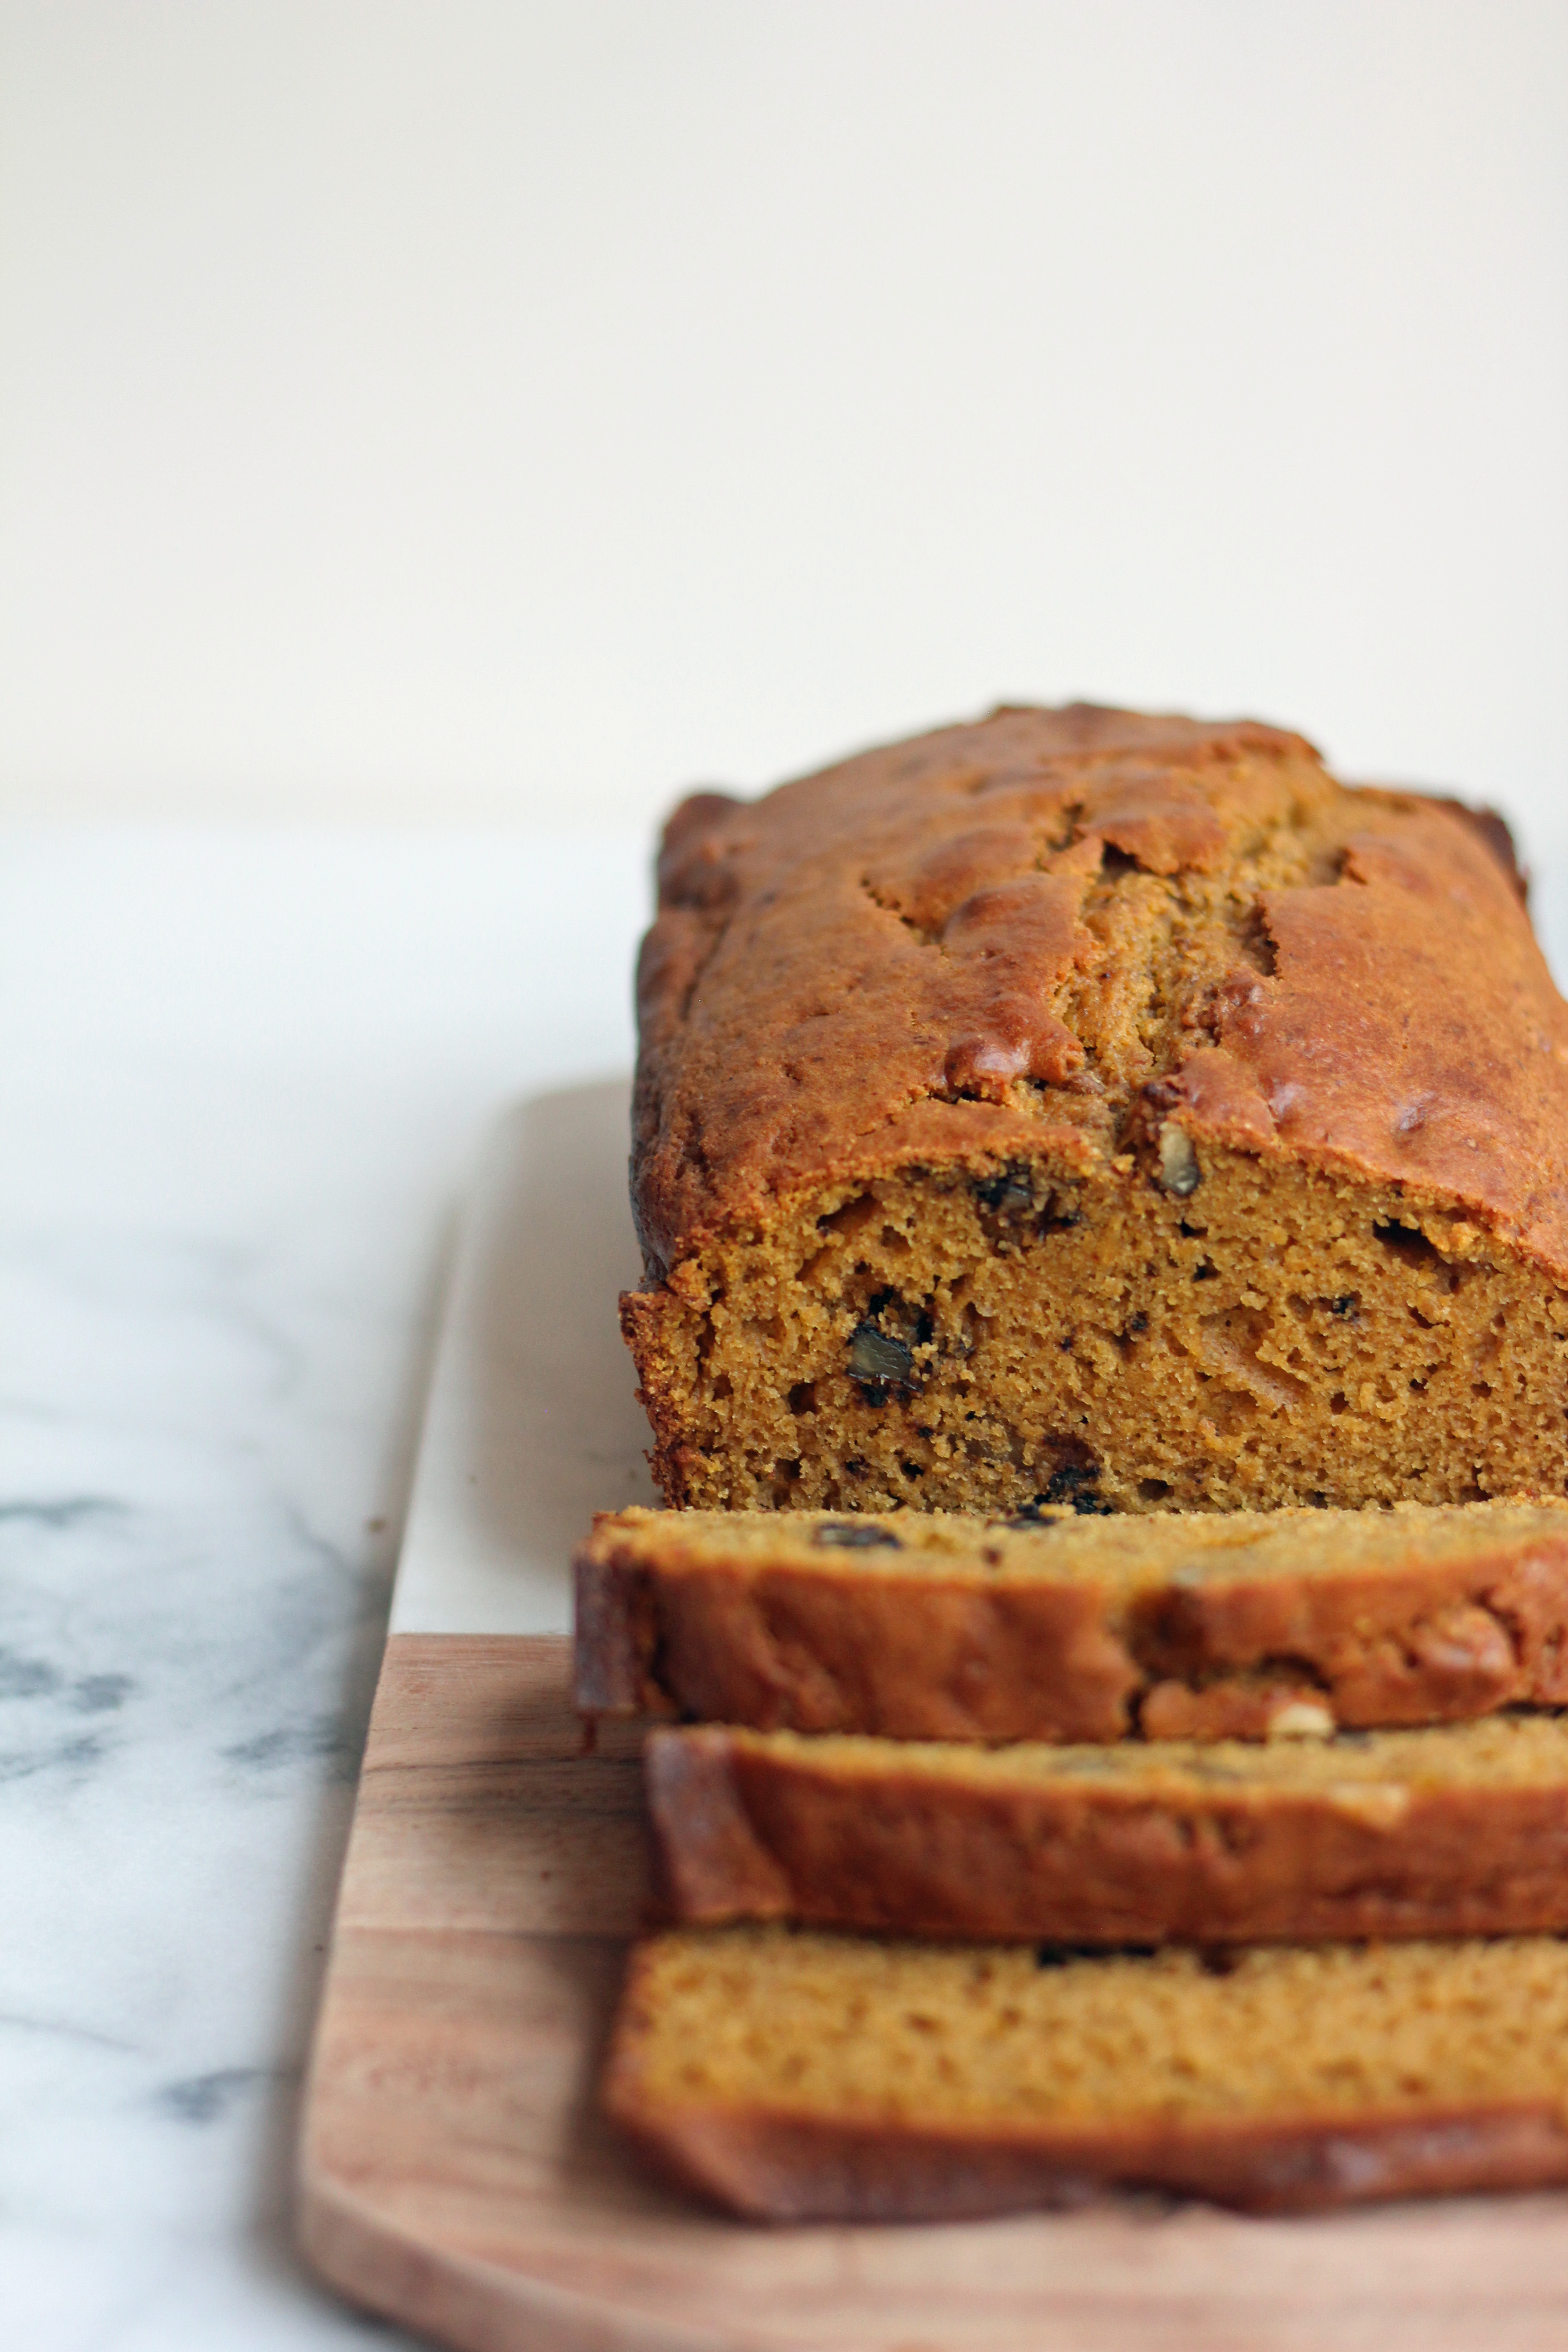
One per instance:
(248, 1074)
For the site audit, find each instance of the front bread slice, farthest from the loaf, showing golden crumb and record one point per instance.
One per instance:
(798, 2076)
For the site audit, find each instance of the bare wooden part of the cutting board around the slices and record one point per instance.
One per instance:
(455, 2172)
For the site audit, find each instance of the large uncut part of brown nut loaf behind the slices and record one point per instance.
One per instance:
(1108, 1109)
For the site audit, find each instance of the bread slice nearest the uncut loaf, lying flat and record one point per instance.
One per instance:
(1076, 1629)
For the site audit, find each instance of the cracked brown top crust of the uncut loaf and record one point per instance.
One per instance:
(1047, 928)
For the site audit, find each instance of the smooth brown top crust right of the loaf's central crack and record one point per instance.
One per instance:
(1409, 1034)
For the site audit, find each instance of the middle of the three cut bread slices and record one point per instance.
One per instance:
(1459, 1831)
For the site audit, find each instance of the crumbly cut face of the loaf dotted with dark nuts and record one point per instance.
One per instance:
(1186, 1330)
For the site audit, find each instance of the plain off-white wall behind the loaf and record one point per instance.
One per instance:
(478, 410)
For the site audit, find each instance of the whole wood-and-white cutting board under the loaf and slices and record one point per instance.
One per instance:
(455, 2172)
